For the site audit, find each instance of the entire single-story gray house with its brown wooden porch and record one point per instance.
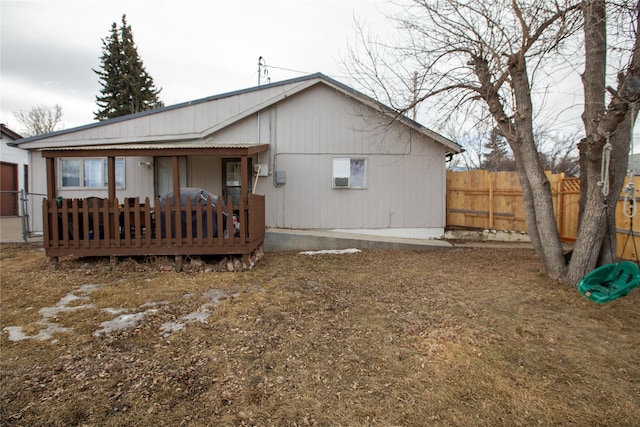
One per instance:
(305, 153)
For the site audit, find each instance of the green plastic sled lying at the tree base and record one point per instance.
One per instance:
(610, 281)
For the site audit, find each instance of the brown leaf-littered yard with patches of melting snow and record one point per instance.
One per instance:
(448, 337)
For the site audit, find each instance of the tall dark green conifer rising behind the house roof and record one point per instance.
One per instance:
(127, 88)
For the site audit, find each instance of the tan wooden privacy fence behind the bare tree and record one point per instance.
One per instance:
(493, 200)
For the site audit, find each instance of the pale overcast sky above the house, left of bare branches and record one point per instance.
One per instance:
(191, 48)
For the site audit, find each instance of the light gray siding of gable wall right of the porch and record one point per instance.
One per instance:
(405, 172)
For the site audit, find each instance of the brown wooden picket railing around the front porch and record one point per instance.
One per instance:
(104, 227)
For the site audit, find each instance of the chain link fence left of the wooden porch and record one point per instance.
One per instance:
(20, 216)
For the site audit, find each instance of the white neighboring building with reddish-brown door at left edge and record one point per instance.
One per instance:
(14, 170)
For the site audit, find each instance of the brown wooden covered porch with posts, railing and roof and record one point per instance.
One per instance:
(145, 224)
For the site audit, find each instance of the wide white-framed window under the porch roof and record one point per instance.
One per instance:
(90, 173)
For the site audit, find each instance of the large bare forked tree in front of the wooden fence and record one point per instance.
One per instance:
(475, 54)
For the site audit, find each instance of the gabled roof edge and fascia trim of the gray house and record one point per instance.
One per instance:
(296, 85)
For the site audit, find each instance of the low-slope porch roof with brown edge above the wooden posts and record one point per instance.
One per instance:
(157, 149)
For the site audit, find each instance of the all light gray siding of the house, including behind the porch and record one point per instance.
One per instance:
(307, 125)
